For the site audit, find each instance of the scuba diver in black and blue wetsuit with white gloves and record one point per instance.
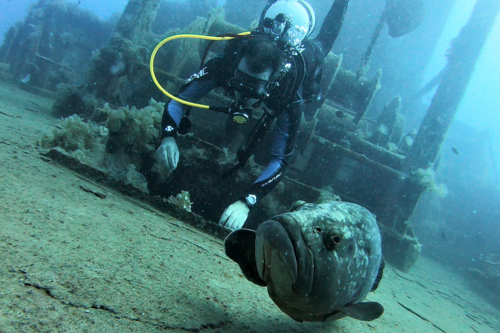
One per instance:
(277, 68)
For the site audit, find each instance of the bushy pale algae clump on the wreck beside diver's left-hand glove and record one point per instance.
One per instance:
(117, 141)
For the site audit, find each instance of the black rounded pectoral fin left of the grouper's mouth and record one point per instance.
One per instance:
(240, 247)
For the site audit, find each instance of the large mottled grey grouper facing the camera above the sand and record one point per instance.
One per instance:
(318, 261)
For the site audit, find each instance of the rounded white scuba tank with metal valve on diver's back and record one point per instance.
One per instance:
(289, 21)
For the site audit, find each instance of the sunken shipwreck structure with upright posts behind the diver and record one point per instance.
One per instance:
(376, 163)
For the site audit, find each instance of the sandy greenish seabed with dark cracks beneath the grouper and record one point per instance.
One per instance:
(73, 262)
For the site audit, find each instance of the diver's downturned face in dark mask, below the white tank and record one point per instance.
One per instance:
(249, 86)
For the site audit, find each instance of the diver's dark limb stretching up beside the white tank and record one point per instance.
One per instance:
(331, 26)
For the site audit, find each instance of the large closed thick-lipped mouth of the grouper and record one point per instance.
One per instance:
(283, 258)
